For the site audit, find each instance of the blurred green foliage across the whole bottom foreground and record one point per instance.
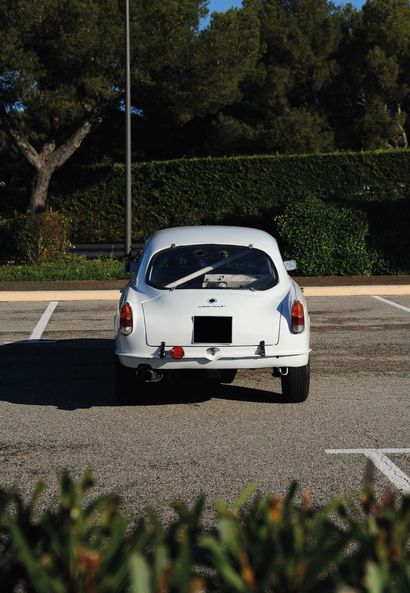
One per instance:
(261, 544)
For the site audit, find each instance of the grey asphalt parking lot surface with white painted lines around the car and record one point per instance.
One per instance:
(58, 410)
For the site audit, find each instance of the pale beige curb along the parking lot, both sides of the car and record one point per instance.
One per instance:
(113, 295)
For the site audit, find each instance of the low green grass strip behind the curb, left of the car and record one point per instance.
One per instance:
(69, 267)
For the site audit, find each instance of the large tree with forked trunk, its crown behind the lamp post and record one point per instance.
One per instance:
(61, 71)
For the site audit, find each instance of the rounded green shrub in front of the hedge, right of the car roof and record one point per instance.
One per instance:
(325, 239)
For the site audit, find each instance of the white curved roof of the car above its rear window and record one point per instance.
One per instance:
(230, 235)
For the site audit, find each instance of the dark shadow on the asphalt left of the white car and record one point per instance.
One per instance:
(68, 374)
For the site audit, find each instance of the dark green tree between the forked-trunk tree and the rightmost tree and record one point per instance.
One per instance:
(282, 108)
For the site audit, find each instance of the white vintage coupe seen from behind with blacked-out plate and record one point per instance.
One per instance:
(214, 299)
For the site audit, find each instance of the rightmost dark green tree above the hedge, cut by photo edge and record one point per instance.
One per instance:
(370, 97)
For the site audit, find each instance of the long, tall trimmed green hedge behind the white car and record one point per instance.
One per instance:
(217, 190)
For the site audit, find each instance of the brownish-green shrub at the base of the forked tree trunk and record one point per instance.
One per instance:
(41, 237)
